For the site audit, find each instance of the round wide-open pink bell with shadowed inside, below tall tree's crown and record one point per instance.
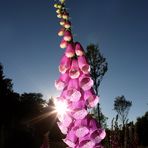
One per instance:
(85, 82)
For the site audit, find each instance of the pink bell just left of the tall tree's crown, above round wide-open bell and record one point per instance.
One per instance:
(83, 64)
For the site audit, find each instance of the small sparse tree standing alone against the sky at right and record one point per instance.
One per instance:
(122, 107)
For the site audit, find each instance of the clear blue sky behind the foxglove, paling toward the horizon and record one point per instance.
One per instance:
(30, 52)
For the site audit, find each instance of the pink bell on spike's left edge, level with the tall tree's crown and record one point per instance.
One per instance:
(64, 64)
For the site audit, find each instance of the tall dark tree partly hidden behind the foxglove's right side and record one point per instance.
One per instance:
(98, 67)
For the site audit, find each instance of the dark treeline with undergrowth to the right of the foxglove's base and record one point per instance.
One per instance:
(132, 135)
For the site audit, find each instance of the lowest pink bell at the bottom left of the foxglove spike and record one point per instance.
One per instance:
(71, 139)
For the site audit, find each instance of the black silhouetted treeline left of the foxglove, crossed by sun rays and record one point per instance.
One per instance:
(25, 118)
